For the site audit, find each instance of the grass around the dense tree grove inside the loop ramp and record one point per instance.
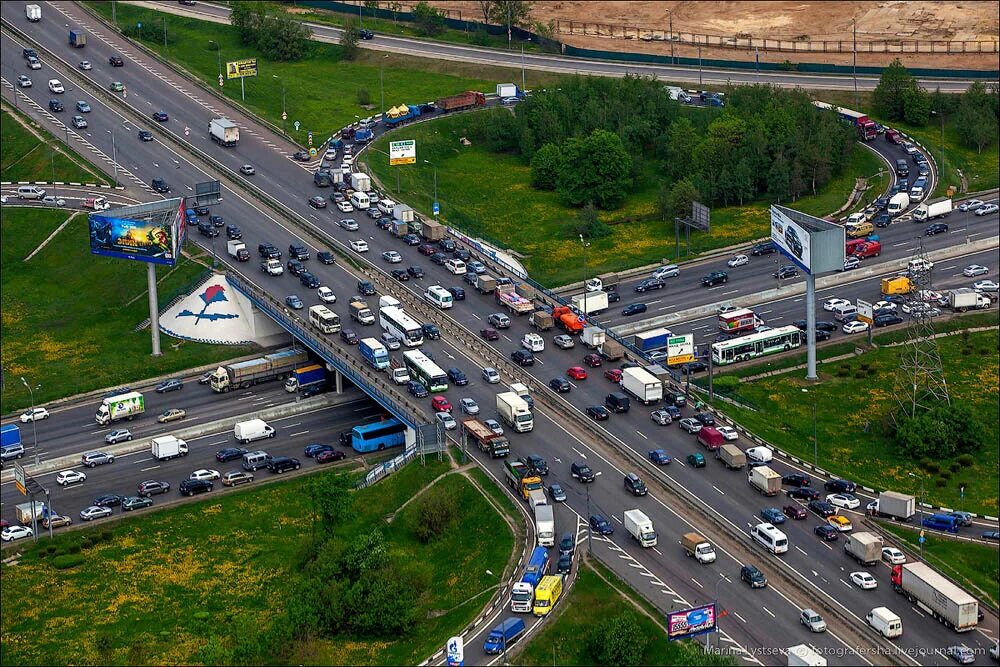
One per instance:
(478, 190)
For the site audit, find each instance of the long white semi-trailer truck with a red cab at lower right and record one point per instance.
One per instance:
(946, 602)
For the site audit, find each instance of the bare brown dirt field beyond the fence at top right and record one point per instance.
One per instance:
(800, 22)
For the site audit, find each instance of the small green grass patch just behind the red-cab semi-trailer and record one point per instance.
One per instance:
(974, 566)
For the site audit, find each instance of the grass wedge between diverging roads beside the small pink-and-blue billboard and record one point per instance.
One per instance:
(592, 598)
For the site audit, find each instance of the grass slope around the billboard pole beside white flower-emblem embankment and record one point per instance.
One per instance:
(68, 317)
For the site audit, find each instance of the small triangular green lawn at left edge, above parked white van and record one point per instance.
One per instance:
(26, 158)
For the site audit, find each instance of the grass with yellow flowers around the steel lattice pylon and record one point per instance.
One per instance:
(851, 411)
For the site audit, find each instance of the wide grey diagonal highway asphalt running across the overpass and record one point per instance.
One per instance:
(666, 576)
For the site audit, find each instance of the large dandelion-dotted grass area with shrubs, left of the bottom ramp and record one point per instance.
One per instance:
(164, 587)
